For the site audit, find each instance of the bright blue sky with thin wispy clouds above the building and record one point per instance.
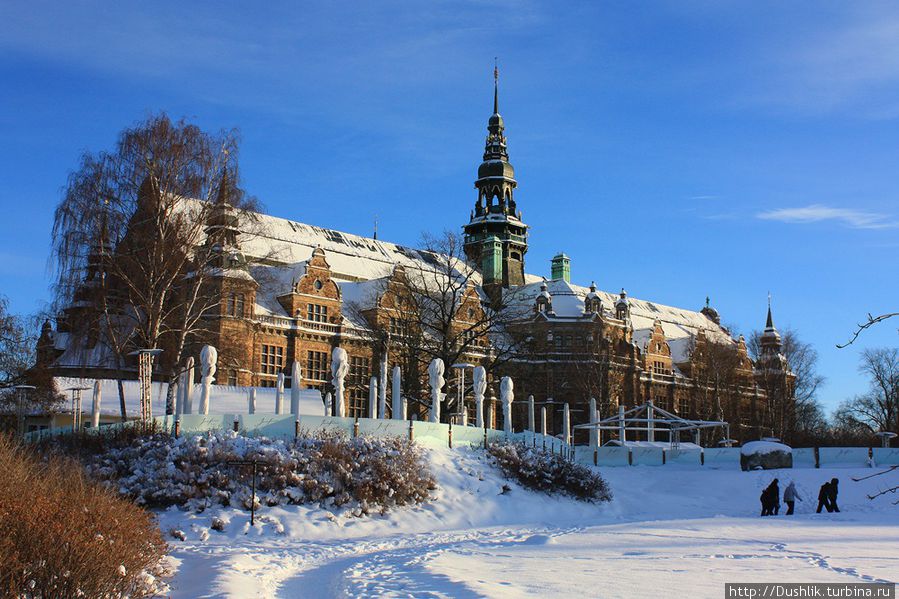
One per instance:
(677, 149)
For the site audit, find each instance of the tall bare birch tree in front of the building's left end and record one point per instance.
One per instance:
(129, 242)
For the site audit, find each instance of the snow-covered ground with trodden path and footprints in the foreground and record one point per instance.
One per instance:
(668, 532)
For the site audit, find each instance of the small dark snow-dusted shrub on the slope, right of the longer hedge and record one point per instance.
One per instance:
(548, 472)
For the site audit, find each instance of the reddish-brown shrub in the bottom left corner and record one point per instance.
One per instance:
(62, 535)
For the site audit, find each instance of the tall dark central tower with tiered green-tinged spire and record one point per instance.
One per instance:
(495, 236)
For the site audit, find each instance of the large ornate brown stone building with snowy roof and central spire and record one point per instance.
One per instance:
(292, 292)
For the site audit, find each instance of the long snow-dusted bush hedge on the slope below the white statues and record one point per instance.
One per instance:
(194, 471)
